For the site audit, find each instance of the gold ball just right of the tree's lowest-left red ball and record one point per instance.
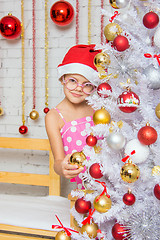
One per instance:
(103, 204)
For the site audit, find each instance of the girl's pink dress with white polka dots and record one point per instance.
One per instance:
(74, 138)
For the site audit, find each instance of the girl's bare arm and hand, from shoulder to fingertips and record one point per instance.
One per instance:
(61, 162)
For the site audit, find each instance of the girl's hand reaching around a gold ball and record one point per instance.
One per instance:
(69, 170)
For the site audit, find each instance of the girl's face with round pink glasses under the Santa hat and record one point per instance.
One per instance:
(76, 87)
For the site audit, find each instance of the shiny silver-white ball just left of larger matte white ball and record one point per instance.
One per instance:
(116, 140)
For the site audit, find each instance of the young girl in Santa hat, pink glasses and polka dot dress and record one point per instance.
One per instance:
(66, 123)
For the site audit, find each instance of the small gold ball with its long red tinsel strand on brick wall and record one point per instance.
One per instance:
(34, 115)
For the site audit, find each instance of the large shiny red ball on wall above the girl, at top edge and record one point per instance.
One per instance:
(62, 13)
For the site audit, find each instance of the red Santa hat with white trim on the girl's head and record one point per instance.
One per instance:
(79, 60)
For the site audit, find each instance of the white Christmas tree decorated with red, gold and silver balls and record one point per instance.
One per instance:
(124, 145)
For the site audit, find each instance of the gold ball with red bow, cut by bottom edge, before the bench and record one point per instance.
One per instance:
(65, 233)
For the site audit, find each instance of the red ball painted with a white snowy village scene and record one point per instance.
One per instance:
(128, 101)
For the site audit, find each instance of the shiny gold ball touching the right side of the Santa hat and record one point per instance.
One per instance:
(102, 60)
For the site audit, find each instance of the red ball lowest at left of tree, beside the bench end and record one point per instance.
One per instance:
(82, 206)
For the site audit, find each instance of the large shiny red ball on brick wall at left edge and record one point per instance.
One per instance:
(10, 27)
